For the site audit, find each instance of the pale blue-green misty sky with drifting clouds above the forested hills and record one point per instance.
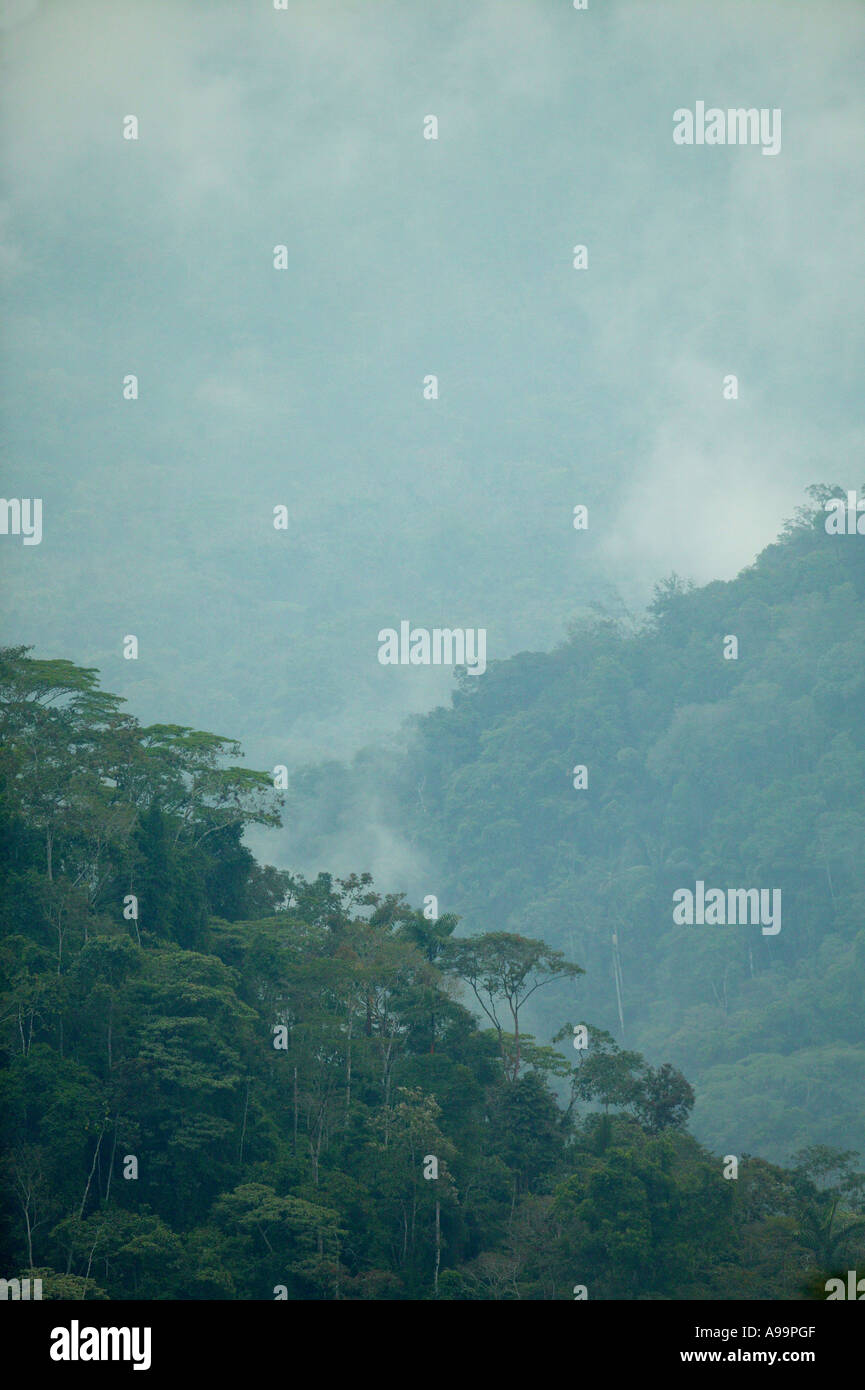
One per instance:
(407, 256)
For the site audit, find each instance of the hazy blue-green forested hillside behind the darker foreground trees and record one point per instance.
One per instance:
(738, 772)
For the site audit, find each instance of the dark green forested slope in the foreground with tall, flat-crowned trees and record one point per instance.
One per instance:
(227, 1082)
